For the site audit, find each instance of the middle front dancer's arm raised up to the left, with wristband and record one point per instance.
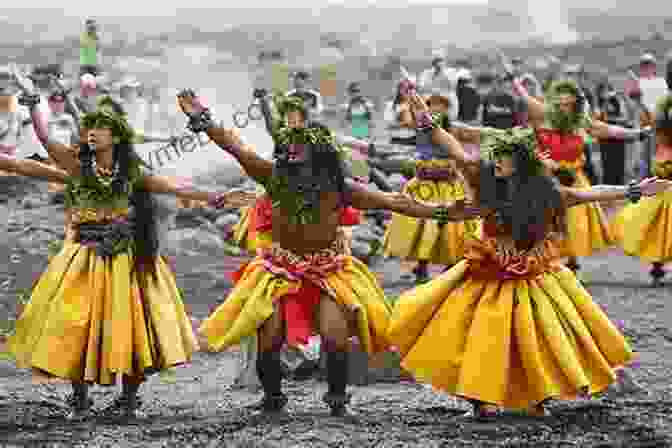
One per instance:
(228, 139)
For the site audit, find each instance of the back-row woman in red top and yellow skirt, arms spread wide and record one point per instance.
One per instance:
(566, 125)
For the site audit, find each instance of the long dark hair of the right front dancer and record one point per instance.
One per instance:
(529, 203)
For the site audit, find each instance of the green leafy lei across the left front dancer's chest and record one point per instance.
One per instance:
(97, 192)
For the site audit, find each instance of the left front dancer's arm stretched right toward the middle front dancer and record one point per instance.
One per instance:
(185, 189)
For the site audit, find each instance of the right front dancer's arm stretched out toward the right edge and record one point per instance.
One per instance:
(603, 193)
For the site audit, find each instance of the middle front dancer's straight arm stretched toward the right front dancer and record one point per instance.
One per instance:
(365, 199)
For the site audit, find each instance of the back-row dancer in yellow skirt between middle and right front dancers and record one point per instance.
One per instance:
(436, 180)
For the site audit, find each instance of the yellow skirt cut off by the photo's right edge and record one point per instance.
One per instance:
(649, 228)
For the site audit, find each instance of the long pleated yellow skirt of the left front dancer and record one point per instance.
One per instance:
(88, 319)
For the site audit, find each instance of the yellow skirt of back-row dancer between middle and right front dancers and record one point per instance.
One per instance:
(422, 239)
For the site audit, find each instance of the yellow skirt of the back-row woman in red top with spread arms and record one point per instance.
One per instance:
(588, 230)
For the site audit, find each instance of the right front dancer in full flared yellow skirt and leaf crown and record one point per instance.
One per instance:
(510, 326)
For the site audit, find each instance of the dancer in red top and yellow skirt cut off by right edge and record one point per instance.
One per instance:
(649, 223)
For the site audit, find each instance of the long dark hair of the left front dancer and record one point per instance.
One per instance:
(125, 161)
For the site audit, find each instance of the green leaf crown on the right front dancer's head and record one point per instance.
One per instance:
(497, 142)
